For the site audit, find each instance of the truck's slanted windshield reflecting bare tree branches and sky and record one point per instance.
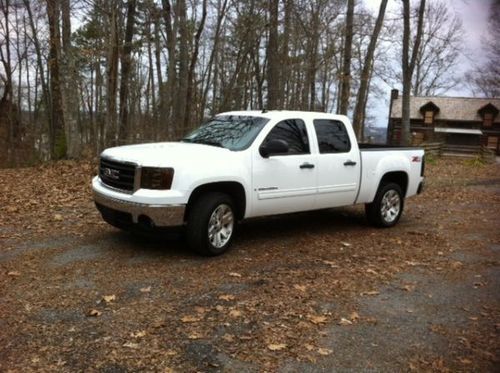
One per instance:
(233, 132)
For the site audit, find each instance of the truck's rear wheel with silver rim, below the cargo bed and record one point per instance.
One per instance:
(387, 206)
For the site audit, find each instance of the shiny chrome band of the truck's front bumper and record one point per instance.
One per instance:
(160, 215)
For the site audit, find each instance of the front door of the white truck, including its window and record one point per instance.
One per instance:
(286, 182)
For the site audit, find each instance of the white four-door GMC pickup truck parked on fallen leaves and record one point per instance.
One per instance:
(248, 164)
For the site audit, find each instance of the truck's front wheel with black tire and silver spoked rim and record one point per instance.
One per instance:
(211, 224)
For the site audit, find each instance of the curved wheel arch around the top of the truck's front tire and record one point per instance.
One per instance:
(233, 188)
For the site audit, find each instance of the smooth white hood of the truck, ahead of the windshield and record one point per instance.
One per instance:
(168, 154)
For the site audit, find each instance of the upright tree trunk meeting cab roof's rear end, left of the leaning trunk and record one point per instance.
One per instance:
(346, 64)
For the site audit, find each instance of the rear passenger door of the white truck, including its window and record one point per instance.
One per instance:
(338, 164)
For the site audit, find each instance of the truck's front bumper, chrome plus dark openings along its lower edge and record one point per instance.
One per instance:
(140, 213)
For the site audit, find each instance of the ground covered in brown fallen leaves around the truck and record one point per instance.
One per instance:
(307, 292)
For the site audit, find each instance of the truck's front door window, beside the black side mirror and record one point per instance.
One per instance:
(294, 132)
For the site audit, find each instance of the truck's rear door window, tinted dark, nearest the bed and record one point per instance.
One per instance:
(332, 136)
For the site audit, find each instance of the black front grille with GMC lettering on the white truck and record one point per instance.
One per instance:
(117, 174)
